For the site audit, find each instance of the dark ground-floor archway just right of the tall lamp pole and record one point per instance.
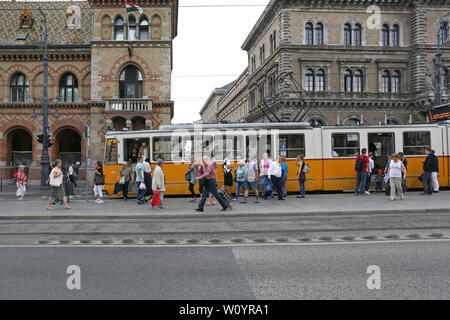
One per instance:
(69, 147)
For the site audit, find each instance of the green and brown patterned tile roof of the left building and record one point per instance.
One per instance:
(55, 11)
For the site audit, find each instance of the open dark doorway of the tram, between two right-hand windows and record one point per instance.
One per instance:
(382, 146)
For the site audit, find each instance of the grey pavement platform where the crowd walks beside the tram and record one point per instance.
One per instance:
(322, 204)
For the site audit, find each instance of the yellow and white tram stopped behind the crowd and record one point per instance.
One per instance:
(329, 151)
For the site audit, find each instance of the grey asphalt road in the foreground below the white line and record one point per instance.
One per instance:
(409, 270)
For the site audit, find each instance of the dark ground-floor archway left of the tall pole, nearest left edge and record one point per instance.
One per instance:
(19, 149)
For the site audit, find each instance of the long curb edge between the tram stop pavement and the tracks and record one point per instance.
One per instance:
(225, 215)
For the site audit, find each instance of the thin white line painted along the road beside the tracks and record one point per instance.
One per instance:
(220, 245)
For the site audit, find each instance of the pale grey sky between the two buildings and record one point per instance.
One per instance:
(207, 51)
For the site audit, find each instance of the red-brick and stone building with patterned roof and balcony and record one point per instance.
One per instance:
(107, 68)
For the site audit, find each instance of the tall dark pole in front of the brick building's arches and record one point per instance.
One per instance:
(45, 160)
